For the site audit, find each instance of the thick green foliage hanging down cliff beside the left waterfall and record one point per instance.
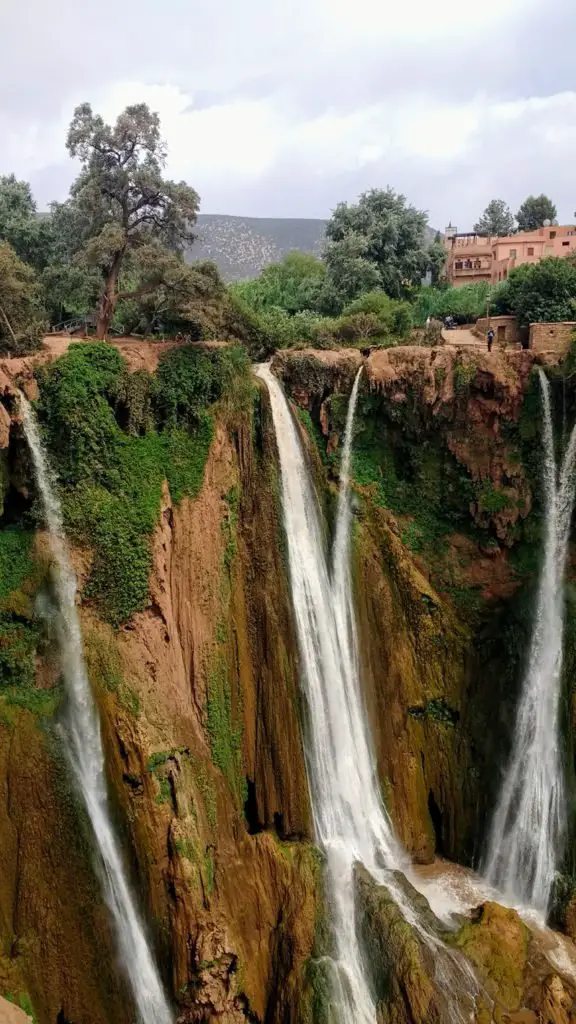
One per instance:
(114, 439)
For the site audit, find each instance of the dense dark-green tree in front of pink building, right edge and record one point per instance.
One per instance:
(543, 292)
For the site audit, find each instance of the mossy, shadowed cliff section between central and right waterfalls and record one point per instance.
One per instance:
(447, 519)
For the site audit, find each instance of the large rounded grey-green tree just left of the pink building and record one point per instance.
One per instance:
(381, 242)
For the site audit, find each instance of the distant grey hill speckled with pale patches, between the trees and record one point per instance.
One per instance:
(242, 246)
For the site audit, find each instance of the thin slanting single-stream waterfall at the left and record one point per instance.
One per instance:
(85, 749)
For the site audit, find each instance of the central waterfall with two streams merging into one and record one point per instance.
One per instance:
(352, 824)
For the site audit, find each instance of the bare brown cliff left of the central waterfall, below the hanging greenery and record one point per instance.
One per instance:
(201, 722)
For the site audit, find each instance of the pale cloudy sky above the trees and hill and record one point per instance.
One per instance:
(282, 108)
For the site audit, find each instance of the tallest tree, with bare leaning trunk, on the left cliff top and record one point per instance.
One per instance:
(126, 214)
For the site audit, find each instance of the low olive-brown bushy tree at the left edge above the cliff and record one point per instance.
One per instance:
(22, 317)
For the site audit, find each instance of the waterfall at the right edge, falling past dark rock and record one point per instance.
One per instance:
(527, 830)
